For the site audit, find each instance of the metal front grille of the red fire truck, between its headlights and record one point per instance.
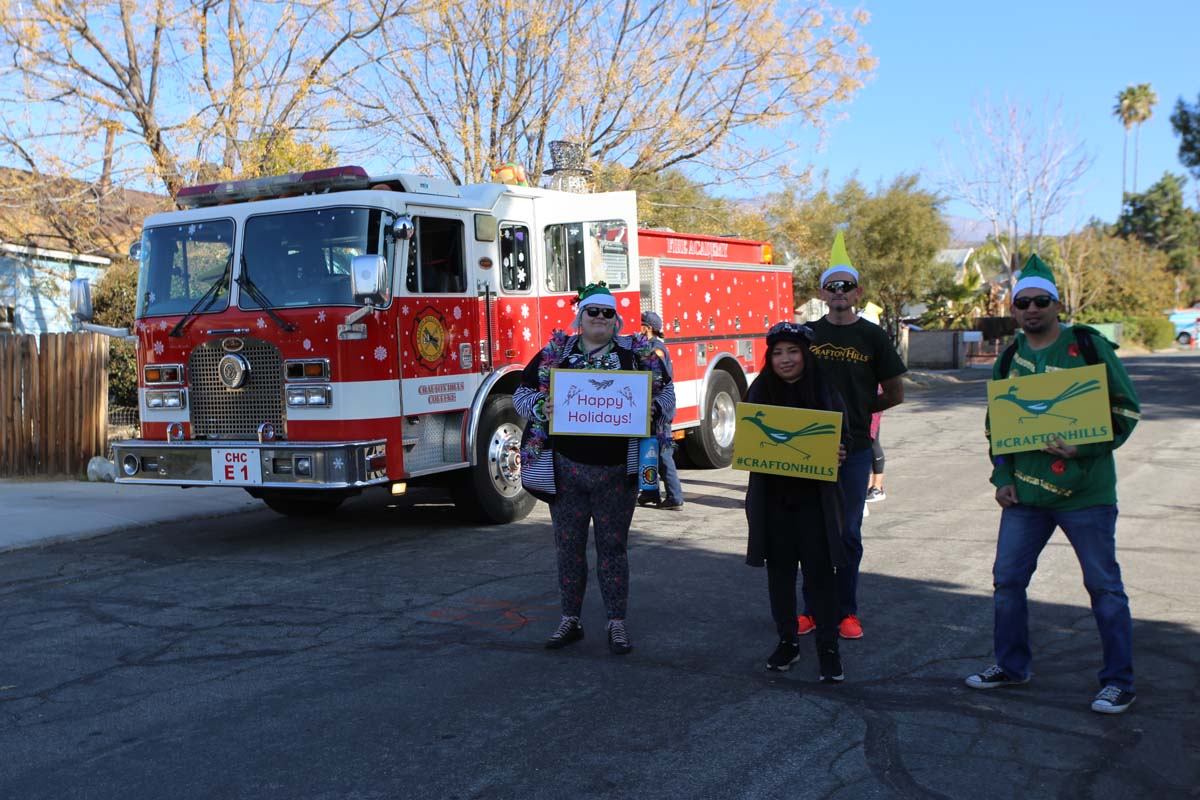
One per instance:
(223, 413)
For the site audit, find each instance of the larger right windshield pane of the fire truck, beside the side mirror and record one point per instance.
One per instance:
(303, 258)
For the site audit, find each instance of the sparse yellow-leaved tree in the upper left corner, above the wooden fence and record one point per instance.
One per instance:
(183, 83)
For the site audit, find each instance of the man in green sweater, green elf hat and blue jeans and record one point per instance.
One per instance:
(1061, 486)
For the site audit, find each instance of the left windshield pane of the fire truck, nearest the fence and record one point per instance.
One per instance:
(183, 264)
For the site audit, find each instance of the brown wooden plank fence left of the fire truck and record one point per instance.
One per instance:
(53, 404)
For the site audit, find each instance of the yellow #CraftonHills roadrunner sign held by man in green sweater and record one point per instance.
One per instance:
(1029, 413)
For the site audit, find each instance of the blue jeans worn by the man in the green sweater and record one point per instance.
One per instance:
(1024, 533)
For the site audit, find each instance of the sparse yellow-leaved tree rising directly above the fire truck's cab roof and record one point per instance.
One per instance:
(650, 86)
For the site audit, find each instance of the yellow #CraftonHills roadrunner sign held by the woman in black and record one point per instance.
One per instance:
(783, 441)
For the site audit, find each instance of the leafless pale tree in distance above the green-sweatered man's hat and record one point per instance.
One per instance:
(1022, 172)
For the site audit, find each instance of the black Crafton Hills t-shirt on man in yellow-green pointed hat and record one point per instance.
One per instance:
(857, 359)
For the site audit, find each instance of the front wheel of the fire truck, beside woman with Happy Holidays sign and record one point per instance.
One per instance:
(491, 491)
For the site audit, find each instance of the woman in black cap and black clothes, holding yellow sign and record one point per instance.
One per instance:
(795, 521)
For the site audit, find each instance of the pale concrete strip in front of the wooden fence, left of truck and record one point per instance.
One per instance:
(43, 512)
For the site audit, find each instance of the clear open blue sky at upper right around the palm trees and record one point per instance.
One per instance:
(939, 59)
